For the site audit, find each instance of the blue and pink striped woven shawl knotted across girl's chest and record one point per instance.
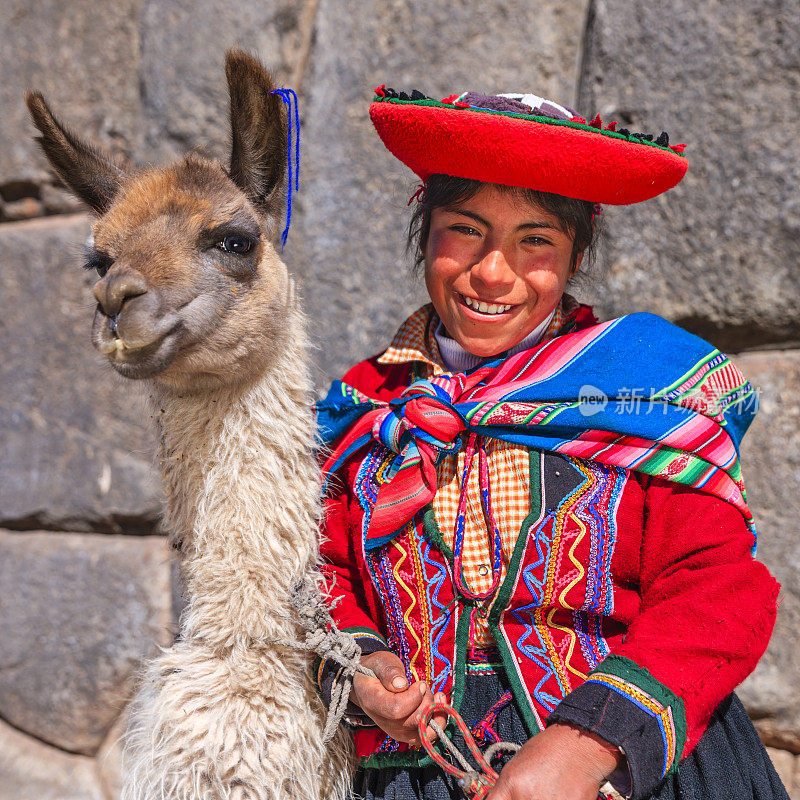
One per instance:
(636, 392)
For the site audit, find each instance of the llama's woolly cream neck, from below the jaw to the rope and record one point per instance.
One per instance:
(243, 493)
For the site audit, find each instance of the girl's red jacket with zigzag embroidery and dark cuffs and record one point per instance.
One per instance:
(630, 606)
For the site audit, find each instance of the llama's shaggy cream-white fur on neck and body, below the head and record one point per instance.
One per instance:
(221, 714)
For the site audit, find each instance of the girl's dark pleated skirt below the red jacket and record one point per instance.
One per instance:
(729, 762)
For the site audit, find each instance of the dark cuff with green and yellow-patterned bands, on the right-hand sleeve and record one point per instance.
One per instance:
(625, 705)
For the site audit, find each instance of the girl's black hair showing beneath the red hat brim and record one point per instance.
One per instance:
(575, 216)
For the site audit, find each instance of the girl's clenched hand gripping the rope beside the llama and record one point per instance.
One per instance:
(389, 701)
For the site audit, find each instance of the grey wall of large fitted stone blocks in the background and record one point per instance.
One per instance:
(85, 589)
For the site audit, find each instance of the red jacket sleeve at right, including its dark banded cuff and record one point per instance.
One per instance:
(706, 615)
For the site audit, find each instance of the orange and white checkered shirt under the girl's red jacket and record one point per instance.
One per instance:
(508, 464)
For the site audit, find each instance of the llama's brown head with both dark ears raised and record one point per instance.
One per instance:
(191, 289)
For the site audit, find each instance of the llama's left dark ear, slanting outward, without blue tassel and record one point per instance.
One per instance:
(86, 170)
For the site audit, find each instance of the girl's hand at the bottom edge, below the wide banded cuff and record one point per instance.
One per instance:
(560, 763)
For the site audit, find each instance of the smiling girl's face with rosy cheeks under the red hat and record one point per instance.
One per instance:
(495, 267)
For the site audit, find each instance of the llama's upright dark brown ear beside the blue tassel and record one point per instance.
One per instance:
(258, 130)
